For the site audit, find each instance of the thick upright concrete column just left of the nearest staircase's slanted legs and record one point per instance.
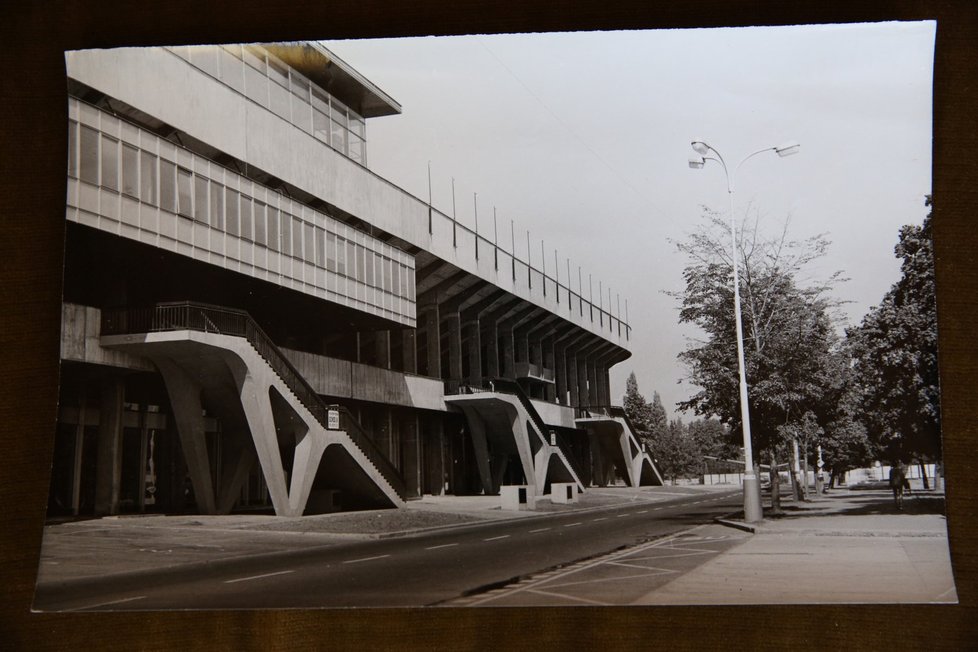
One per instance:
(108, 469)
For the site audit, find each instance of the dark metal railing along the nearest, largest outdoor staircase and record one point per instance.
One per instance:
(208, 318)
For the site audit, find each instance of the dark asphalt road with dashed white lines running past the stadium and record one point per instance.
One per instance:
(423, 569)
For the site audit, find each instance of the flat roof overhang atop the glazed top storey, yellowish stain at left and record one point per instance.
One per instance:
(336, 76)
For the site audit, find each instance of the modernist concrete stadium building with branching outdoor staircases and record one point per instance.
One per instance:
(254, 320)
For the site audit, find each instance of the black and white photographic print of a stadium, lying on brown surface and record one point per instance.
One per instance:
(567, 319)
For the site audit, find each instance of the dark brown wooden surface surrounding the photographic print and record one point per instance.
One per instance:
(32, 192)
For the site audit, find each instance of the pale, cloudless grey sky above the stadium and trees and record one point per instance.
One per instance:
(584, 140)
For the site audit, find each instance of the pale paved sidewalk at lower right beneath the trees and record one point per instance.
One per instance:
(843, 547)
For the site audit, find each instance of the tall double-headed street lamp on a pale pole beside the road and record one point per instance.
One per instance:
(752, 489)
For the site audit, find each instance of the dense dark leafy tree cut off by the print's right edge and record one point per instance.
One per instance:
(895, 356)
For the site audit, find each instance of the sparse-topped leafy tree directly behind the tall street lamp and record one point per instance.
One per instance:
(789, 330)
